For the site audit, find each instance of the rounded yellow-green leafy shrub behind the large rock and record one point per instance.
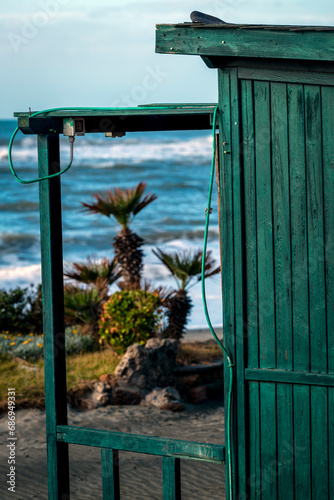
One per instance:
(130, 316)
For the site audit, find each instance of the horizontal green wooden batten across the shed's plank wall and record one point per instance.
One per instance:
(290, 377)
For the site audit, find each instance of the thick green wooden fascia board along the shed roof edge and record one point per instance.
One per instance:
(246, 41)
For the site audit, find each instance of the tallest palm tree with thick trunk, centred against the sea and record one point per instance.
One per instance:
(123, 205)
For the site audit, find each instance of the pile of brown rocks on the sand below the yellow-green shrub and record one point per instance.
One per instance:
(148, 375)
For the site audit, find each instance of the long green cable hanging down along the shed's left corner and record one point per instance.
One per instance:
(229, 443)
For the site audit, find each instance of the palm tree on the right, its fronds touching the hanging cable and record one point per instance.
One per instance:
(185, 267)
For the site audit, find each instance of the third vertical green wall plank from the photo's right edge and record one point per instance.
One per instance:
(300, 302)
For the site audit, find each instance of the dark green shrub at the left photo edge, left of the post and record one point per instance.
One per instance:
(21, 310)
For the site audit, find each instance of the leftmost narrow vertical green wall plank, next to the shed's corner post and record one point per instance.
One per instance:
(250, 269)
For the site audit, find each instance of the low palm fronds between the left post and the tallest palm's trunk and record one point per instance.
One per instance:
(94, 270)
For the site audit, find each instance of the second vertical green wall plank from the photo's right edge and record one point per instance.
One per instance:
(317, 305)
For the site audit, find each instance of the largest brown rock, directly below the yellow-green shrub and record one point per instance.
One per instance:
(148, 366)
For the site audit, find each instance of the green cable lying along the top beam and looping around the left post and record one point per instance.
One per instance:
(51, 110)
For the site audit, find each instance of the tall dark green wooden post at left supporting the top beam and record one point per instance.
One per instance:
(53, 316)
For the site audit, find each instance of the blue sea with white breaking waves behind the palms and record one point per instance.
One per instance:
(174, 165)
